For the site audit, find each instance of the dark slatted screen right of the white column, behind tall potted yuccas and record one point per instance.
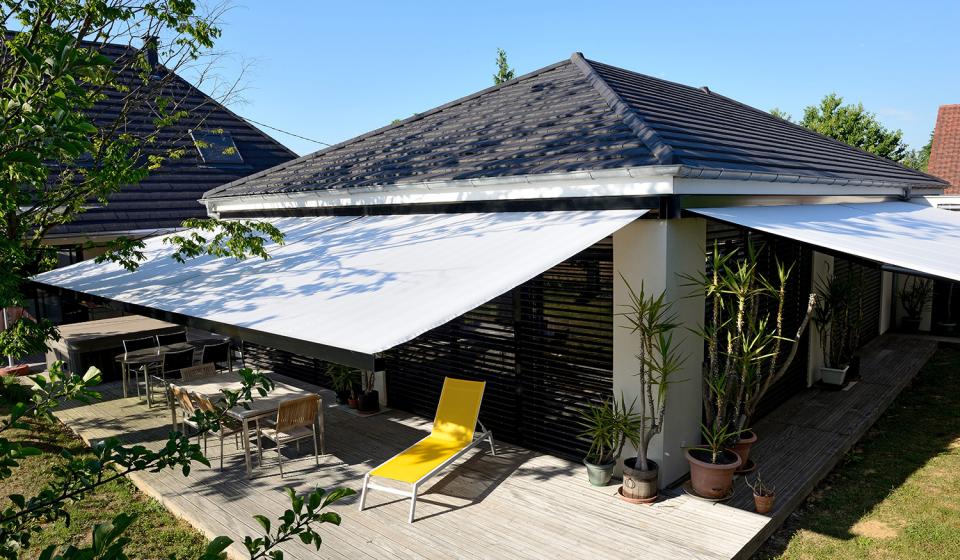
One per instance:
(730, 237)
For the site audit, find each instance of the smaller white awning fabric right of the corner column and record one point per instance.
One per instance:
(911, 236)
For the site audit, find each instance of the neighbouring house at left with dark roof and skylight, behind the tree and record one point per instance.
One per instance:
(170, 194)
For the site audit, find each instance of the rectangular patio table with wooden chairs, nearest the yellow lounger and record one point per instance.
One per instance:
(260, 407)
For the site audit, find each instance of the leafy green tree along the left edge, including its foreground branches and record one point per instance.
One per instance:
(60, 150)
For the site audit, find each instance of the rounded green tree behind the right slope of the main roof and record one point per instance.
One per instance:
(853, 125)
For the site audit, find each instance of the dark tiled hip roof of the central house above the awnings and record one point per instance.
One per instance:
(579, 115)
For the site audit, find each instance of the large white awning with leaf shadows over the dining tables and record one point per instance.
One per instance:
(354, 284)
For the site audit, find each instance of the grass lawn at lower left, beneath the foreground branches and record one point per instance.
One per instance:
(156, 533)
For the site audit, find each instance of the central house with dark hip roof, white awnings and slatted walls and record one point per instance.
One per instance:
(487, 238)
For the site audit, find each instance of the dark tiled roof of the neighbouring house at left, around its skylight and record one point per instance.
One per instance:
(170, 194)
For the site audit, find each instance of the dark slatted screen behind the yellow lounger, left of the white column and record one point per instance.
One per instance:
(545, 350)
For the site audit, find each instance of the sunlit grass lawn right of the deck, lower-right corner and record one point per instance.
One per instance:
(897, 494)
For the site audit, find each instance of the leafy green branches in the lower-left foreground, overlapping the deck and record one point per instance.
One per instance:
(78, 476)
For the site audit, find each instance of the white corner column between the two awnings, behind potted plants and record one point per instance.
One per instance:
(657, 253)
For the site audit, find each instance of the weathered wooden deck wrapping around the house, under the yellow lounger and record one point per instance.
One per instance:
(519, 504)
